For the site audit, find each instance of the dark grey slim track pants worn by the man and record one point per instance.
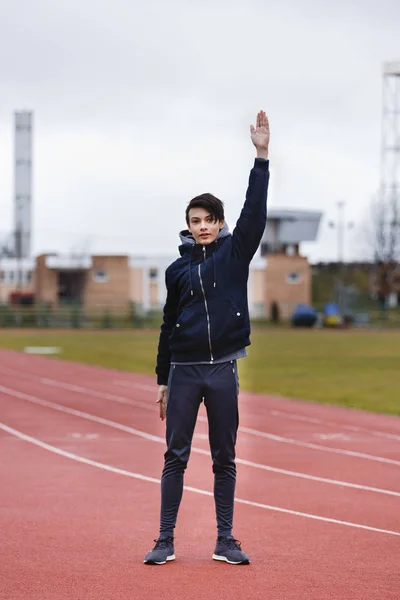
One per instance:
(187, 386)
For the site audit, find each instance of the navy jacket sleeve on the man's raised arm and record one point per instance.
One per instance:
(246, 236)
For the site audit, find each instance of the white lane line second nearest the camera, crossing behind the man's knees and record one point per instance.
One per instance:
(161, 440)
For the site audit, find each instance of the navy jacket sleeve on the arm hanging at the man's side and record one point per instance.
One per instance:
(169, 321)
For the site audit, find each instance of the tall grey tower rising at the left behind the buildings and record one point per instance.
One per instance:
(23, 184)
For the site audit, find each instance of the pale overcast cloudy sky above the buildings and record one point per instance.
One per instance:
(139, 106)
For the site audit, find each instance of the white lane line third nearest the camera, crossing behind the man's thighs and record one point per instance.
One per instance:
(276, 438)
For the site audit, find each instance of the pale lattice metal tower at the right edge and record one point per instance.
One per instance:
(389, 198)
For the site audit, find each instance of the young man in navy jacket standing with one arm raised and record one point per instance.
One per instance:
(205, 330)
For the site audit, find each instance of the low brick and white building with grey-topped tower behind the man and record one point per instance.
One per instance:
(278, 273)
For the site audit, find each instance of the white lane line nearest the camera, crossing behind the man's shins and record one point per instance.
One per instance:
(118, 471)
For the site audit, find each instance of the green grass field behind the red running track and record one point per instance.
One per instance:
(351, 368)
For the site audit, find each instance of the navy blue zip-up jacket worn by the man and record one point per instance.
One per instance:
(206, 313)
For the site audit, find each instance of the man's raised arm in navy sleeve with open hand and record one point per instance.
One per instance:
(246, 236)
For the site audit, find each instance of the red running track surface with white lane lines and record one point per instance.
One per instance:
(78, 530)
